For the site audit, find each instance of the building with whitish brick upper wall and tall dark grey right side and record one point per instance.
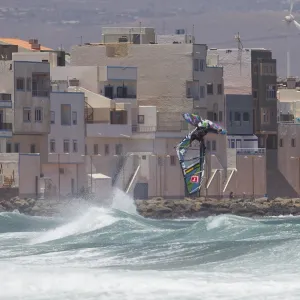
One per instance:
(252, 72)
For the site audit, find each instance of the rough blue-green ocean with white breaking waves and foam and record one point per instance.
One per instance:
(115, 254)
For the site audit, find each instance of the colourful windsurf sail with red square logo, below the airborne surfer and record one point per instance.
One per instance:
(192, 162)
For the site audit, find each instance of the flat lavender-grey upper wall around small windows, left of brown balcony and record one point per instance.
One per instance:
(73, 132)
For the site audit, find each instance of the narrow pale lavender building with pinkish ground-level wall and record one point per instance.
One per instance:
(65, 168)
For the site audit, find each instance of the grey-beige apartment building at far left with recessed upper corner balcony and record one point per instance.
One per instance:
(26, 88)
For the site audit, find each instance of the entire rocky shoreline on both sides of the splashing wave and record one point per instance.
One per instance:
(160, 208)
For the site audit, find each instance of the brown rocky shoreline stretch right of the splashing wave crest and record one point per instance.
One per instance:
(201, 207)
